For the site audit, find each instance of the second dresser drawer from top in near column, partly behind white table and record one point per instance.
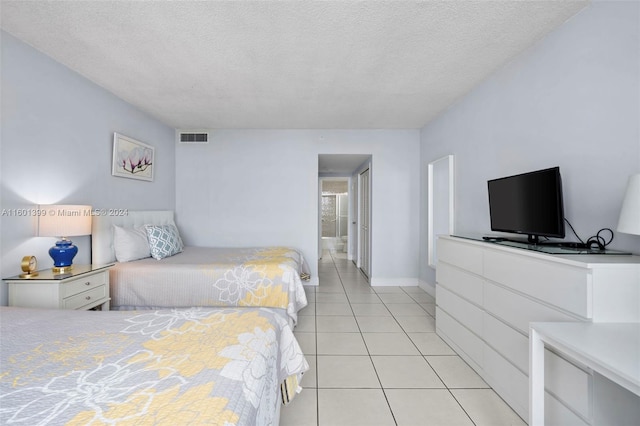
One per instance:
(518, 311)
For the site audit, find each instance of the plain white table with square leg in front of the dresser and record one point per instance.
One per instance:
(610, 349)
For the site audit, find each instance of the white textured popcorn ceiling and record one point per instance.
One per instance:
(286, 64)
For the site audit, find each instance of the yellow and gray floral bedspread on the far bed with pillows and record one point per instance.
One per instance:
(206, 276)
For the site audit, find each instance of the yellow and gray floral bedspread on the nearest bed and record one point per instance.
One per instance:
(218, 366)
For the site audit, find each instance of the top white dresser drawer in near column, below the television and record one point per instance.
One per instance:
(564, 286)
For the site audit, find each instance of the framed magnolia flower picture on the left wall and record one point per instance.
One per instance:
(132, 159)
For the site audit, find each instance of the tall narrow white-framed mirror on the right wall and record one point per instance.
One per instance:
(441, 203)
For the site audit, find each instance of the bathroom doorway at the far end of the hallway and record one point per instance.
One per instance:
(335, 214)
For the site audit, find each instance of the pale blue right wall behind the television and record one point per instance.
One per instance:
(572, 100)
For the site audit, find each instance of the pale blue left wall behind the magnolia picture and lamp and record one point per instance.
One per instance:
(56, 147)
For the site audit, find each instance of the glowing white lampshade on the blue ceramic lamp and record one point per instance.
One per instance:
(64, 221)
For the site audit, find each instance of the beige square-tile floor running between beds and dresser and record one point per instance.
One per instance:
(375, 359)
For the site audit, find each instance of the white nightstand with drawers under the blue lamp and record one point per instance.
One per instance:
(83, 288)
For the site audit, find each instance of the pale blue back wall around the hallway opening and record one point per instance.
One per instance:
(260, 187)
